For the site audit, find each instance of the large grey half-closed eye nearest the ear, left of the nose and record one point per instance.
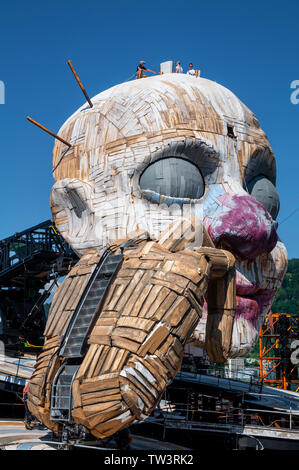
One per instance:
(172, 177)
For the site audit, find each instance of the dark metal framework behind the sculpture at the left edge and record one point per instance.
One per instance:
(30, 264)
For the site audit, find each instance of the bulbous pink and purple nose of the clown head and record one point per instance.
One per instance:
(243, 225)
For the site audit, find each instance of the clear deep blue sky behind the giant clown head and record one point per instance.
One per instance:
(250, 48)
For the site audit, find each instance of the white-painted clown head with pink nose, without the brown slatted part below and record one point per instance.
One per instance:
(151, 149)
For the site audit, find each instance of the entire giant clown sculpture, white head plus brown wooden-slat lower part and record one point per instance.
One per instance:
(153, 158)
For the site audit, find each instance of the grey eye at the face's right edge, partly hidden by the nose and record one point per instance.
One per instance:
(265, 192)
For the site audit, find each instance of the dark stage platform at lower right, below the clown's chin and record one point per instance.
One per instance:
(207, 411)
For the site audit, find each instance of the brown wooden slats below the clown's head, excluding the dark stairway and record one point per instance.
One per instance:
(137, 341)
